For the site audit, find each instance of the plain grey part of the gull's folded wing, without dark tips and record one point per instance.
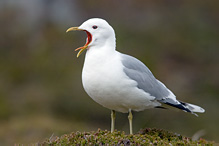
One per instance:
(146, 81)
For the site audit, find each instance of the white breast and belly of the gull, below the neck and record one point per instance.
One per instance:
(106, 83)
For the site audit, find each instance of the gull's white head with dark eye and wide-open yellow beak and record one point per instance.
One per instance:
(99, 33)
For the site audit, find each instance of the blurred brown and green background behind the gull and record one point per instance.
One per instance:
(41, 93)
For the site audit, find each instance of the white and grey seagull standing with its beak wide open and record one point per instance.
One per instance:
(118, 81)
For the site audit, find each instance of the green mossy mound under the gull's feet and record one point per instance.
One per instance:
(146, 136)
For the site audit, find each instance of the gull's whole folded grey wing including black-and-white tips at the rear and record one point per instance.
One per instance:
(146, 81)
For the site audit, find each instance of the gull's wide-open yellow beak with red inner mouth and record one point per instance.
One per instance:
(89, 39)
